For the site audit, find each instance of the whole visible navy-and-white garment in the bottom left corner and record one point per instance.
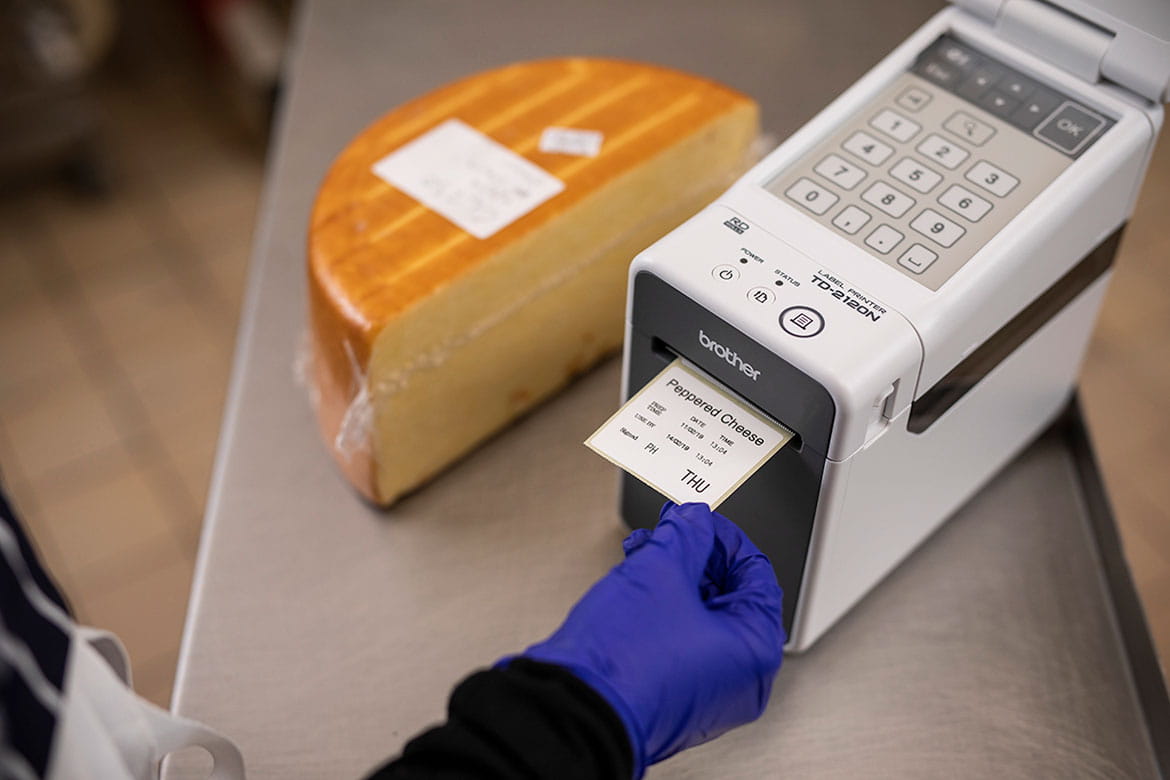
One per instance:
(67, 712)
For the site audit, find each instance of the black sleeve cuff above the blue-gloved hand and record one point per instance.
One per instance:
(527, 721)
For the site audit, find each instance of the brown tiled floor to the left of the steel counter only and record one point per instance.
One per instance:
(118, 323)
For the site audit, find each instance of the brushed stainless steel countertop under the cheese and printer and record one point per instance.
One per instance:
(325, 633)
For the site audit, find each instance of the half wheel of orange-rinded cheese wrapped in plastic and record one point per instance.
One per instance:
(462, 271)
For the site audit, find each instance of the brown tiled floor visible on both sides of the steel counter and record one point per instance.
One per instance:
(118, 322)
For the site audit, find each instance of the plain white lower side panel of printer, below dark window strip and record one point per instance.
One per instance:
(879, 506)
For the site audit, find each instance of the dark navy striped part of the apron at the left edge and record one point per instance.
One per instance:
(36, 631)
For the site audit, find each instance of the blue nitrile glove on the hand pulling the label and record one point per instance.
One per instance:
(683, 639)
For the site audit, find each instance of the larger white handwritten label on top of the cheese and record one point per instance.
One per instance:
(470, 180)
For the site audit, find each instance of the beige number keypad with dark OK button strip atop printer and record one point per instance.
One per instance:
(927, 158)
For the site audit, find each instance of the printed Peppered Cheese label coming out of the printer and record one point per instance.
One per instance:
(687, 438)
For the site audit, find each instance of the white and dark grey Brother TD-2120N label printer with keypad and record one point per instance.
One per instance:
(910, 282)
